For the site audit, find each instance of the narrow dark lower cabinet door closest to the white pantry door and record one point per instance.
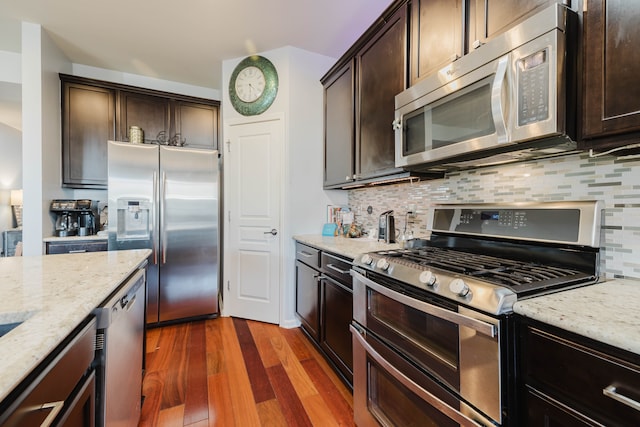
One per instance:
(307, 298)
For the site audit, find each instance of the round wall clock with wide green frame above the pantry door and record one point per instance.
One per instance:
(253, 85)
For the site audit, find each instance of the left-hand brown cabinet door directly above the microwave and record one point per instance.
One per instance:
(436, 35)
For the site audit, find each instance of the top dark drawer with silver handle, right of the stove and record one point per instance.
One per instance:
(591, 382)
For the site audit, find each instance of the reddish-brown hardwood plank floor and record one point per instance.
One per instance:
(235, 372)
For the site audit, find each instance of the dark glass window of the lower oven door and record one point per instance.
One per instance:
(393, 404)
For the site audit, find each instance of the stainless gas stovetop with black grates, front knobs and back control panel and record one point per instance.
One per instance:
(488, 257)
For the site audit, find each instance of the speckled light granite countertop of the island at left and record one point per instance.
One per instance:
(52, 294)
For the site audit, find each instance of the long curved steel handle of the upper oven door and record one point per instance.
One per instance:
(441, 313)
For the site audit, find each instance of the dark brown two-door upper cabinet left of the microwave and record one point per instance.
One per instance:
(359, 103)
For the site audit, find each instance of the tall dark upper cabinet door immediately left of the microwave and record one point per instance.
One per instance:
(381, 66)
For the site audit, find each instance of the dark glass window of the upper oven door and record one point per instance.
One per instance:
(429, 341)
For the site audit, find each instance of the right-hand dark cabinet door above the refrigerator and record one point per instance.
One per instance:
(197, 124)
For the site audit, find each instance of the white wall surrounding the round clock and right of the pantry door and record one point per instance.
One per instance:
(300, 100)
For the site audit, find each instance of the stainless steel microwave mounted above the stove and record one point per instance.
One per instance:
(511, 99)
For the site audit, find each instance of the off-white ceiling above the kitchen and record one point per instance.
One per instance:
(186, 41)
